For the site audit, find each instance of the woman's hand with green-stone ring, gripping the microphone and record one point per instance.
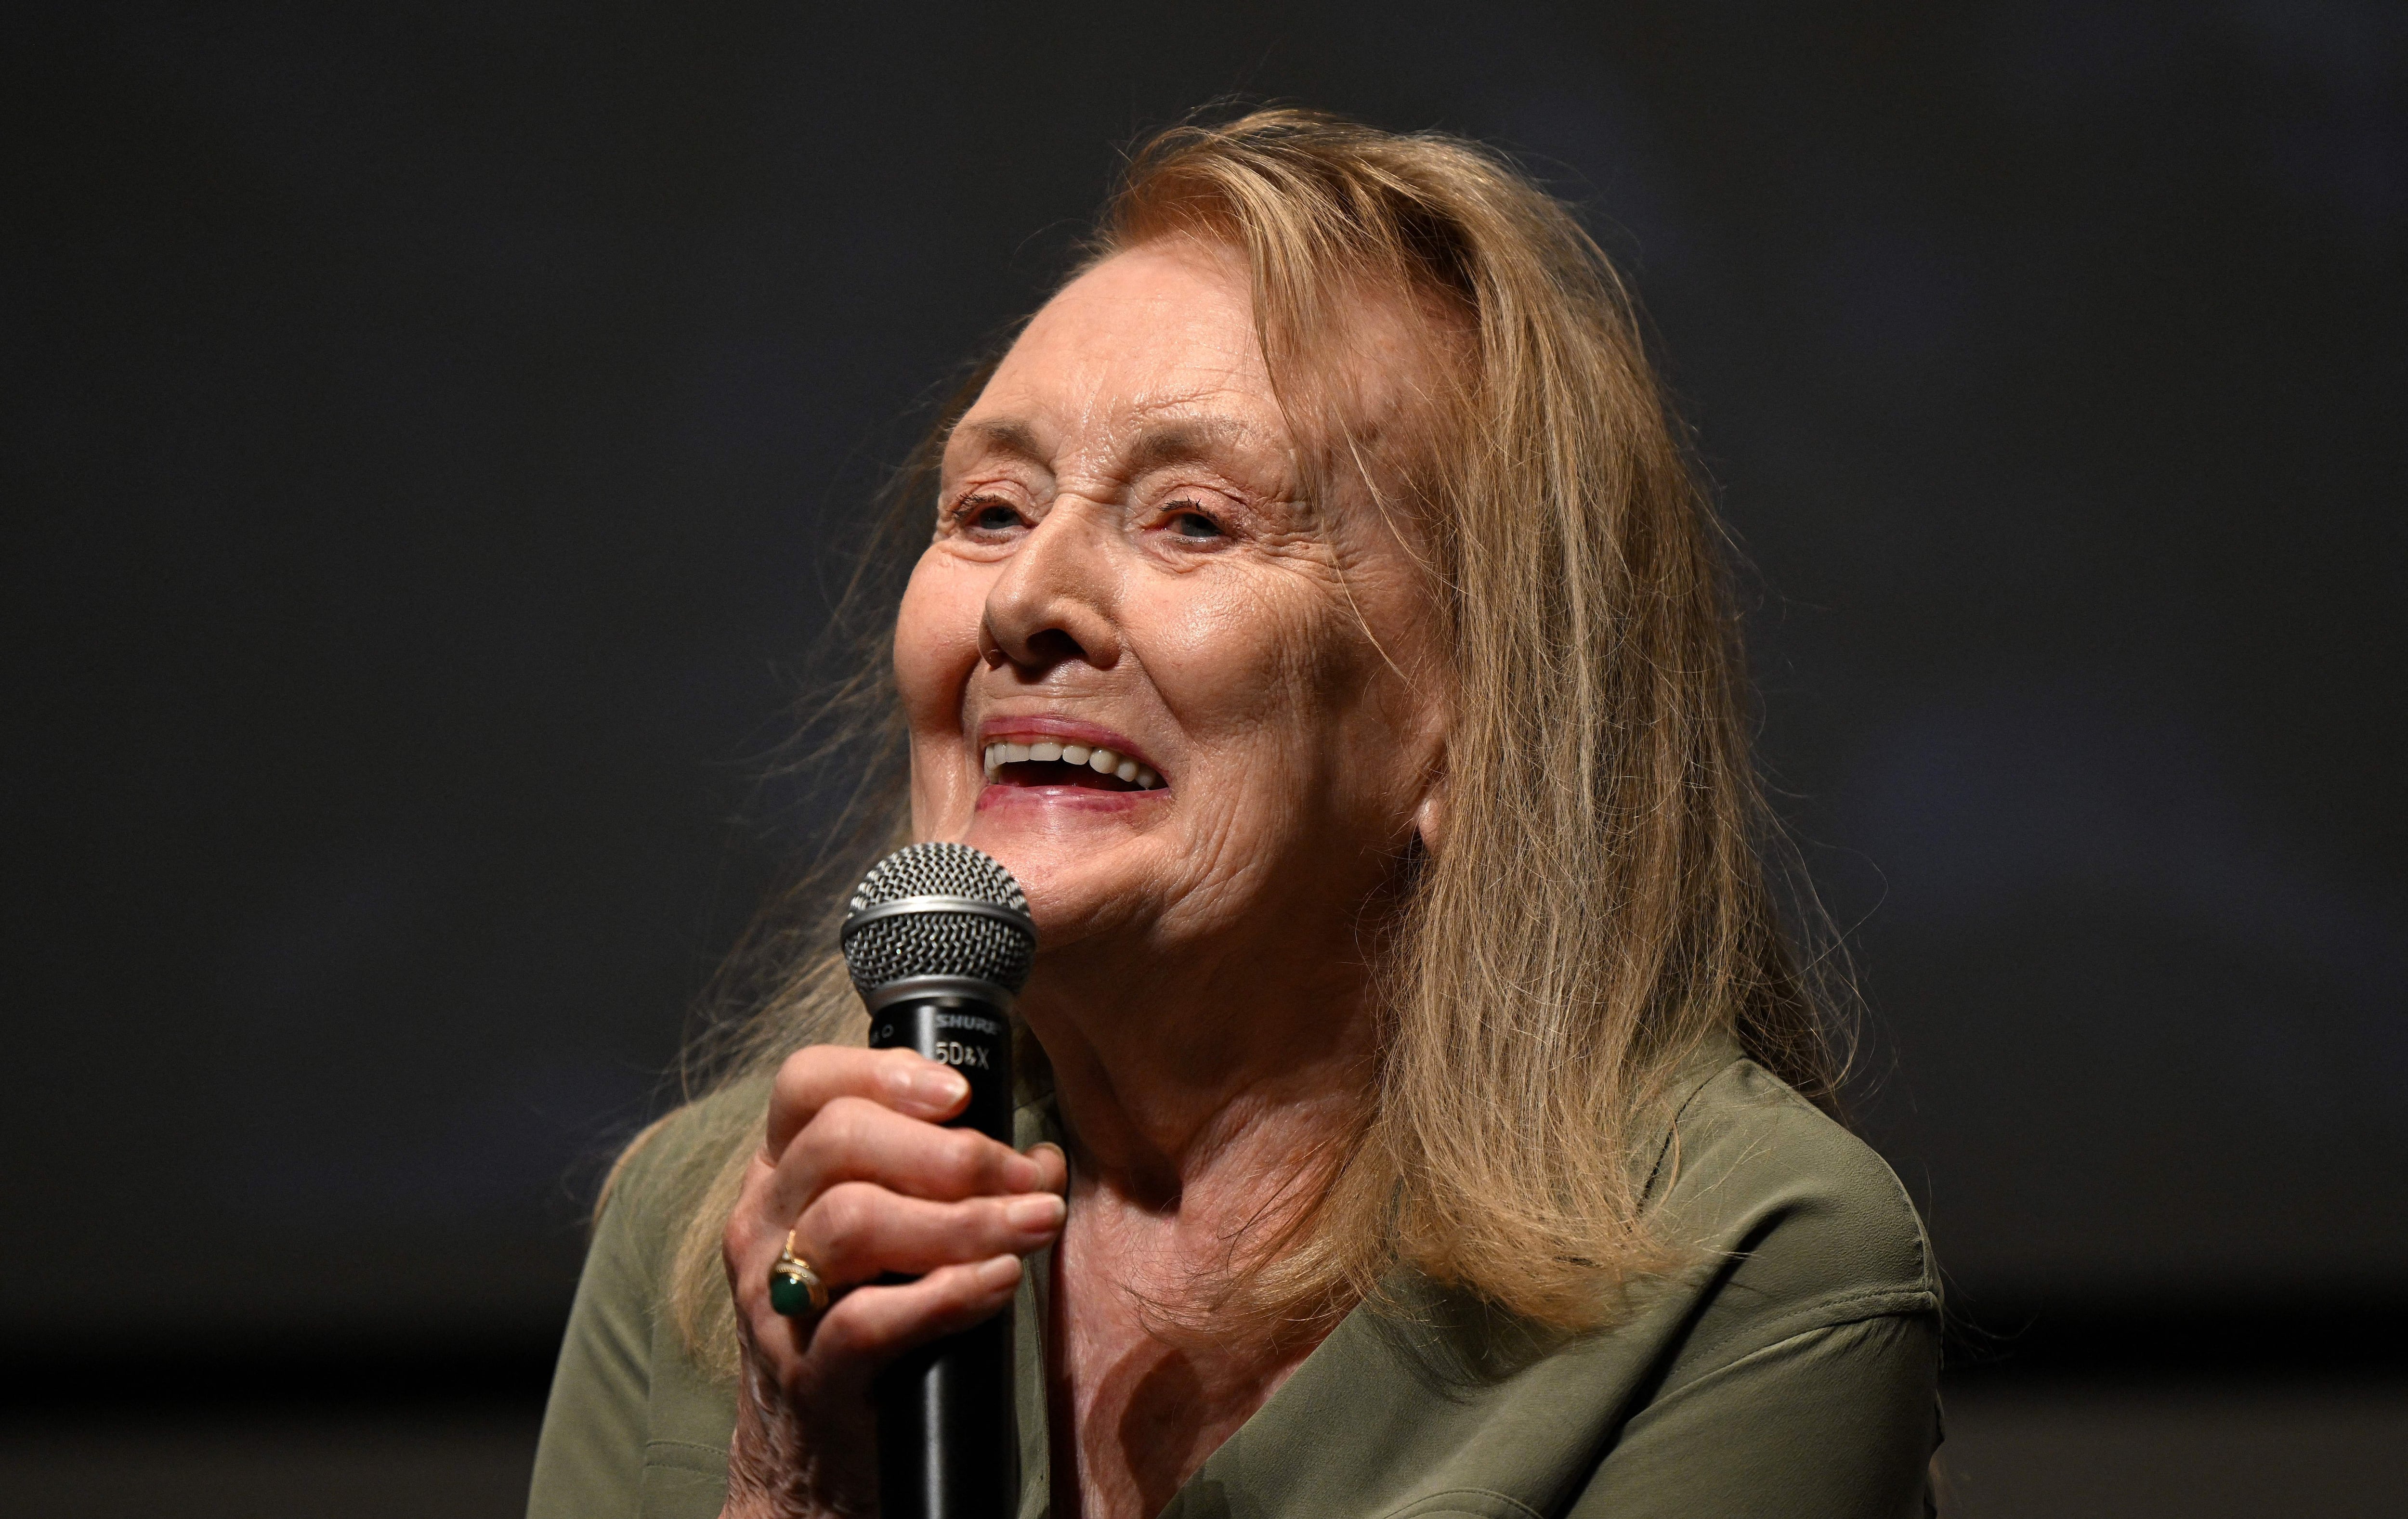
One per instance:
(858, 1169)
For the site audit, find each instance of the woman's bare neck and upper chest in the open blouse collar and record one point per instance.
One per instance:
(1196, 1089)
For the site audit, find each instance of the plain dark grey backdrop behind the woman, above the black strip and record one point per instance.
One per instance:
(435, 432)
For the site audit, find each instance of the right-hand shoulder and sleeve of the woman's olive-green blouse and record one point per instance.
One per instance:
(1786, 1361)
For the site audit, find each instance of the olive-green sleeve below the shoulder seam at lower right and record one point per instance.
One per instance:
(1829, 1424)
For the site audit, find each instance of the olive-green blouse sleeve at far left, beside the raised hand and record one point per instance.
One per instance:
(589, 1462)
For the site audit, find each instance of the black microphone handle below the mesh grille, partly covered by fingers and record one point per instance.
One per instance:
(948, 1429)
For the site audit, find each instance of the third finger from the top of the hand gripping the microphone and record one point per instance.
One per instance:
(861, 1231)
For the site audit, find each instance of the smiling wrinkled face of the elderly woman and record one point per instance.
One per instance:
(1169, 695)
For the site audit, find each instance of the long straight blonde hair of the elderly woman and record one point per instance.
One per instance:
(1598, 914)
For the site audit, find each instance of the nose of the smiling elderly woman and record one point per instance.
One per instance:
(1053, 603)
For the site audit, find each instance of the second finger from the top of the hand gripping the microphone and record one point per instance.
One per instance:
(863, 1142)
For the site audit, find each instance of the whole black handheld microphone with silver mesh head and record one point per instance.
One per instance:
(938, 940)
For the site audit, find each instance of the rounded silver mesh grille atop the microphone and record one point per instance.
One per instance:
(938, 942)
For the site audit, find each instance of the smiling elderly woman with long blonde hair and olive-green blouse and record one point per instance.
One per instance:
(1429, 1113)
